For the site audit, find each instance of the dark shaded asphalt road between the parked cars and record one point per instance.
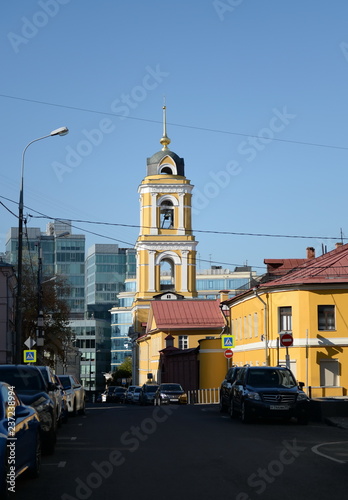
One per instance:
(125, 452)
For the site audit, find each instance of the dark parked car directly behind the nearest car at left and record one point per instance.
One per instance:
(31, 388)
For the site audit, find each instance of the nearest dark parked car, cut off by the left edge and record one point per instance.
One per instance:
(20, 445)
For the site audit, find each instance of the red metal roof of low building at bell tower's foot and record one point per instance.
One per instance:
(190, 314)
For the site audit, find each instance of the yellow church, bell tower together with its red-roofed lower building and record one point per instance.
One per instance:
(166, 271)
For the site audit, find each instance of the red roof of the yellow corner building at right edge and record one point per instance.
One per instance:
(331, 267)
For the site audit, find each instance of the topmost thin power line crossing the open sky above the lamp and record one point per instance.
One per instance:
(181, 125)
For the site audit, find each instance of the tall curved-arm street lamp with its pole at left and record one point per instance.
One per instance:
(58, 131)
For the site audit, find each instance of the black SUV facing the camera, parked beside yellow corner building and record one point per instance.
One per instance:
(268, 391)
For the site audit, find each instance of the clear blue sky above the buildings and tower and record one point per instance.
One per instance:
(256, 94)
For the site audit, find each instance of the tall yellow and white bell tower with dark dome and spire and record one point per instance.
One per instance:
(166, 247)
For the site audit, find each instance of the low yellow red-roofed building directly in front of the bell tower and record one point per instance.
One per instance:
(188, 330)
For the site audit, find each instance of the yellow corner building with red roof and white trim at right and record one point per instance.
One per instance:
(309, 303)
